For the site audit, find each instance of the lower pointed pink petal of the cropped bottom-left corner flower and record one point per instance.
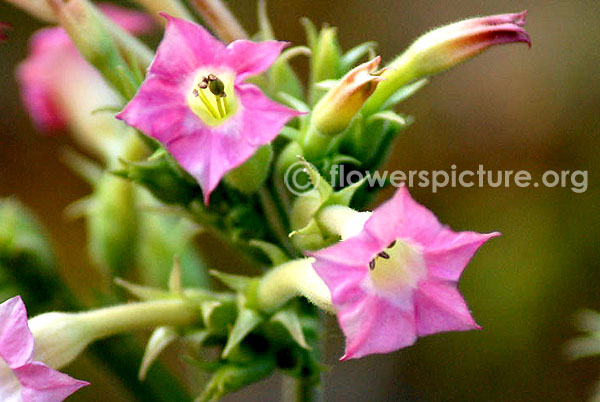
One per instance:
(40, 383)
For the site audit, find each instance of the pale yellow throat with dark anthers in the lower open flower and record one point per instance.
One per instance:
(399, 267)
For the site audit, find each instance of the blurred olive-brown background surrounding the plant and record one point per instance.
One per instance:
(512, 108)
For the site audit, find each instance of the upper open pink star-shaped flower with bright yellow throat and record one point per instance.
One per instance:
(195, 102)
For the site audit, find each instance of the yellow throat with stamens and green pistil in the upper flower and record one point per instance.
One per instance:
(212, 97)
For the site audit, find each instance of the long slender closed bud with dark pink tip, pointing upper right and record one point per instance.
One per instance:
(445, 47)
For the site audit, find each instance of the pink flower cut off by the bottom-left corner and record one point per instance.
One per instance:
(21, 378)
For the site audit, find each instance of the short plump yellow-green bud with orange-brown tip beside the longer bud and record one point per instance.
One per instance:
(337, 108)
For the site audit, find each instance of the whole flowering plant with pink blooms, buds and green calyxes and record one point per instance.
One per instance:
(210, 129)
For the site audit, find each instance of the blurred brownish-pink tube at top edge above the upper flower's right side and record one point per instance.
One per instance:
(220, 19)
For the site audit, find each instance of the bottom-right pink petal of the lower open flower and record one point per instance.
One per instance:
(440, 307)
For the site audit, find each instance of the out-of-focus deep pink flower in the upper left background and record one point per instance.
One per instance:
(52, 77)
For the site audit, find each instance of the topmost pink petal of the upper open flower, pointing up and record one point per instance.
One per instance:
(184, 47)
